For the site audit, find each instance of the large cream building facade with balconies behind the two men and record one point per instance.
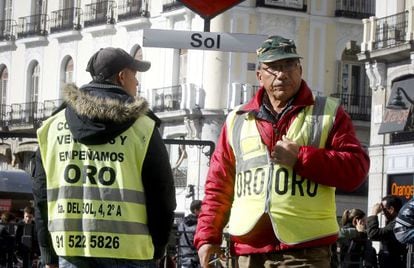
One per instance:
(46, 44)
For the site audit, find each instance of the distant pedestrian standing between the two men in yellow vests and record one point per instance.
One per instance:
(187, 252)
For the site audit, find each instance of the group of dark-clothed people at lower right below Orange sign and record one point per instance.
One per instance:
(354, 245)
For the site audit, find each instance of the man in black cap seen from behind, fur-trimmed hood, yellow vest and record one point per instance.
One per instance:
(103, 187)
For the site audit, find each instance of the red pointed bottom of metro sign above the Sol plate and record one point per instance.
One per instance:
(209, 8)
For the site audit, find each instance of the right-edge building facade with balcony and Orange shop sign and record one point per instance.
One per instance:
(388, 53)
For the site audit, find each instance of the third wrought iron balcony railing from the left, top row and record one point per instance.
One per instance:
(65, 20)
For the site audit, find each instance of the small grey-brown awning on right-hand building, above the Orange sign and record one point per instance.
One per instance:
(394, 121)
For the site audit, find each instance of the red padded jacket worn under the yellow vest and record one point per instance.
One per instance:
(343, 164)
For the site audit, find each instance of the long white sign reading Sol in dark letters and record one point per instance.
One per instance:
(230, 42)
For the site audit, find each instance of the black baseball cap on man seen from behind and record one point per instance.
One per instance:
(108, 61)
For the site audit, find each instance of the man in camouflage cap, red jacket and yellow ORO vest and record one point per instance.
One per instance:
(273, 174)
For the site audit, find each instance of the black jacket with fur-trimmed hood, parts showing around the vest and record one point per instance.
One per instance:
(96, 113)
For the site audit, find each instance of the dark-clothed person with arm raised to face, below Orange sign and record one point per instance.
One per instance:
(391, 253)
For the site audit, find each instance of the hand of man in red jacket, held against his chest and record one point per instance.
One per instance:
(285, 152)
